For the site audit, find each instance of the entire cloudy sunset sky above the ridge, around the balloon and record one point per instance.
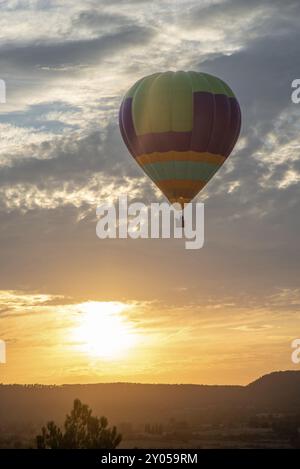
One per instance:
(74, 308)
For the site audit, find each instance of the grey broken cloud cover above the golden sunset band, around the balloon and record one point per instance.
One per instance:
(62, 151)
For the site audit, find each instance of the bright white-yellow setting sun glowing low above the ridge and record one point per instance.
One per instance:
(103, 330)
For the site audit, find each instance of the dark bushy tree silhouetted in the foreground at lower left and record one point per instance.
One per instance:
(81, 431)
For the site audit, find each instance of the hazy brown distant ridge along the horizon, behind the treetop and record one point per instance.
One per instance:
(277, 392)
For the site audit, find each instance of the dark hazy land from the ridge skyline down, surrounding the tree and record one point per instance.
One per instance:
(264, 414)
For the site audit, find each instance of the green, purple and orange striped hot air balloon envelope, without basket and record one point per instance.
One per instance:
(180, 127)
